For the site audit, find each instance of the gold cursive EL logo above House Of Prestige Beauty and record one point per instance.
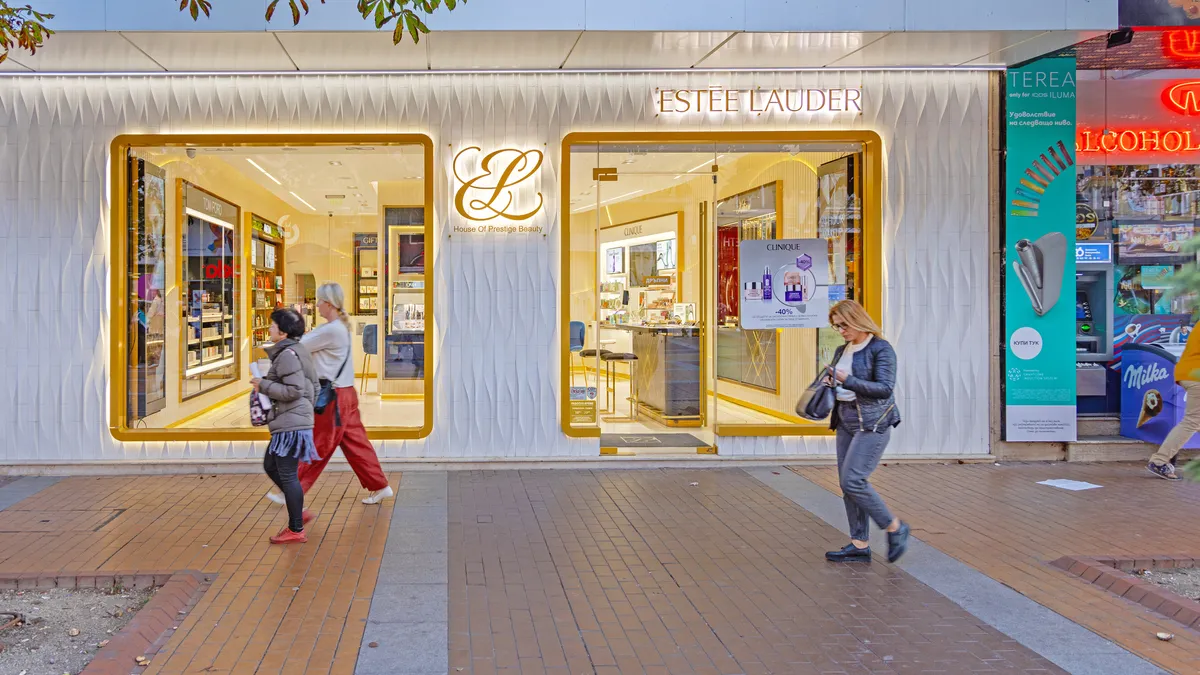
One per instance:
(493, 192)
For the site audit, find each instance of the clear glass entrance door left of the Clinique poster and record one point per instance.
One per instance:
(647, 212)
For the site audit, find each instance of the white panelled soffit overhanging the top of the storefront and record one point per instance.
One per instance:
(544, 51)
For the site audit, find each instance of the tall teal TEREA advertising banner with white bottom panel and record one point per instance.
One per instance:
(1040, 206)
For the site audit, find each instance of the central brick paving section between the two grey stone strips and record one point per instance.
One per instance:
(632, 572)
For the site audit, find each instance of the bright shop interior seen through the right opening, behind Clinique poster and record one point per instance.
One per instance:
(657, 292)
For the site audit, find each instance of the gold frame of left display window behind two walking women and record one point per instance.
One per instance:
(118, 320)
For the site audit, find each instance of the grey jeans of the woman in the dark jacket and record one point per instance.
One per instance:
(859, 455)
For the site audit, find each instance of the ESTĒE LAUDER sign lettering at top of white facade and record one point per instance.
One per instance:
(758, 101)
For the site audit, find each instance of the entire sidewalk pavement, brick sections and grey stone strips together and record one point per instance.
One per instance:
(605, 572)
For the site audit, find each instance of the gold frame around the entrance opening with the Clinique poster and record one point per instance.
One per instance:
(872, 265)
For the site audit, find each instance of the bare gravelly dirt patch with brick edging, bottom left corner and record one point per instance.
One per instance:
(63, 630)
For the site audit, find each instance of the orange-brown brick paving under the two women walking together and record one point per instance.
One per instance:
(298, 610)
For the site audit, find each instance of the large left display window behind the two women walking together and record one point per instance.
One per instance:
(212, 235)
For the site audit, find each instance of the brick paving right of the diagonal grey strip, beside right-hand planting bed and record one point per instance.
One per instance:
(999, 521)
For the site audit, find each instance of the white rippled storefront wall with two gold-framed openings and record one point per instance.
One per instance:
(495, 355)
